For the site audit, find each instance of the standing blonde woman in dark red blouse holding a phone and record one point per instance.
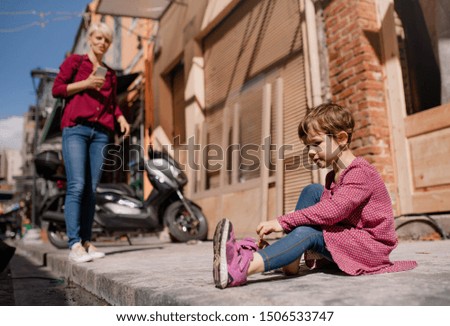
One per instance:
(89, 87)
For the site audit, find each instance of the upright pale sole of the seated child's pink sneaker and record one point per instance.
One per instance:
(220, 267)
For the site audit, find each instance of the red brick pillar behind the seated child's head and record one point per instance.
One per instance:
(356, 80)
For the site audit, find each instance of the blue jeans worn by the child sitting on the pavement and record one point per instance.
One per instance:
(291, 247)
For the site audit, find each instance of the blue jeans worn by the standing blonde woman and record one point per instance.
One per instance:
(83, 148)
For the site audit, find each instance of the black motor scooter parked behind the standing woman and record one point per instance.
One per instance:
(120, 212)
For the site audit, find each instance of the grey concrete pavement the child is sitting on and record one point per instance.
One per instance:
(153, 272)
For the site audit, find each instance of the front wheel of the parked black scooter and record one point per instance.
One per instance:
(182, 226)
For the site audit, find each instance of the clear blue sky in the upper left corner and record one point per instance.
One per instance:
(29, 41)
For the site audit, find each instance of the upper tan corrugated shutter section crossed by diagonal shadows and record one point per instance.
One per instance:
(255, 36)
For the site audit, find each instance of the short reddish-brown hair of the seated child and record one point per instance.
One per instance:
(328, 118)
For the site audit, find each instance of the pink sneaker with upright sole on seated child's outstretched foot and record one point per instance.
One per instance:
(231, 258)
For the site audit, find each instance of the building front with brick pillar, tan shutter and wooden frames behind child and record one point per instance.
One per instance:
(231, 79)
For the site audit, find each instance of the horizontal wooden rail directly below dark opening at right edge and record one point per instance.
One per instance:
(428, 120)
